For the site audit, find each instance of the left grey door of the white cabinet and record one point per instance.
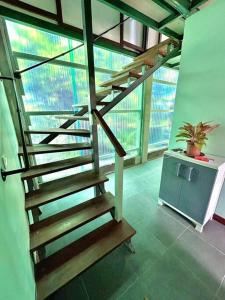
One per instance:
(170, 182)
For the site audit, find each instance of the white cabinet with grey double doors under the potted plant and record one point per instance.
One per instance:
(190, 186)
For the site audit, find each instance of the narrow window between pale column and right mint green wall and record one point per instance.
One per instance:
(162, 107)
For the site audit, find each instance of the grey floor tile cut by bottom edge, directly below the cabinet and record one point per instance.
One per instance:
(170, 279)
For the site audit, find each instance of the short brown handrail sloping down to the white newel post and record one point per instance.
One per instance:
(118, 148)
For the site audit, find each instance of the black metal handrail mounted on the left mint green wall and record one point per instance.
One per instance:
(26, 167)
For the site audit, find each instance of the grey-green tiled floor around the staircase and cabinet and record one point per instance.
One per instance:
(172, 260)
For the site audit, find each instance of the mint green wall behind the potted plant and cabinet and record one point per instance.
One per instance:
(201, 83)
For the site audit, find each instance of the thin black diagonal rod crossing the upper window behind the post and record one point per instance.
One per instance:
(17, 74)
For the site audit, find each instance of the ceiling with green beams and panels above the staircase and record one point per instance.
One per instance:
(150, 20)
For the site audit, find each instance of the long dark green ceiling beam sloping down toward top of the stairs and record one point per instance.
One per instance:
(138, 16)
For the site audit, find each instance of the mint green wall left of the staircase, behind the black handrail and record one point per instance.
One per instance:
(16, 274)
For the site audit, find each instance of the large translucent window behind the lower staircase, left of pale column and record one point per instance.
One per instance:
(67, 85)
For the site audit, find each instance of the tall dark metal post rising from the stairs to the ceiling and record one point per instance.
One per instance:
(89, 51)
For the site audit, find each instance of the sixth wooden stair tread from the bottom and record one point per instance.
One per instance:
(78, 132)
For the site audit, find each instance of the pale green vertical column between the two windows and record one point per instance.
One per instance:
(146, 110)
